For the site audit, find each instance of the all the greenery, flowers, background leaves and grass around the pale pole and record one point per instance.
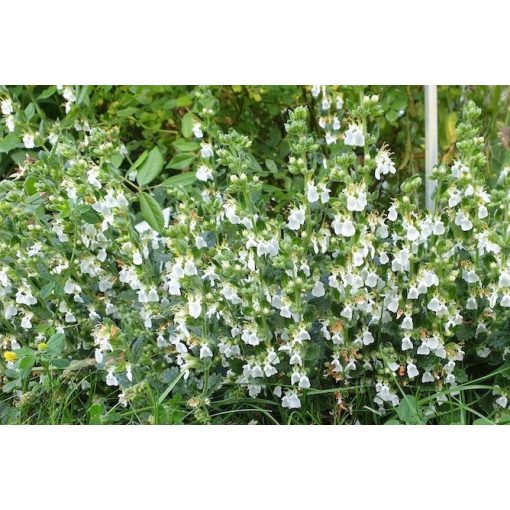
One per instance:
(252, 255)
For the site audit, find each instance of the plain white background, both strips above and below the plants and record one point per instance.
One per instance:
(244, 42)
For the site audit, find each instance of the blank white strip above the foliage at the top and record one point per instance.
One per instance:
(255, 41)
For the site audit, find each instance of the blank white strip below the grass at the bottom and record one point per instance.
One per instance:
(254, 467)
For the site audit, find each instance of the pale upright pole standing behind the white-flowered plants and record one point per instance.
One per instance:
(430, 143)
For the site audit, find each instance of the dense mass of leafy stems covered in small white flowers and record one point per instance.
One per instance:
(335, 289)
